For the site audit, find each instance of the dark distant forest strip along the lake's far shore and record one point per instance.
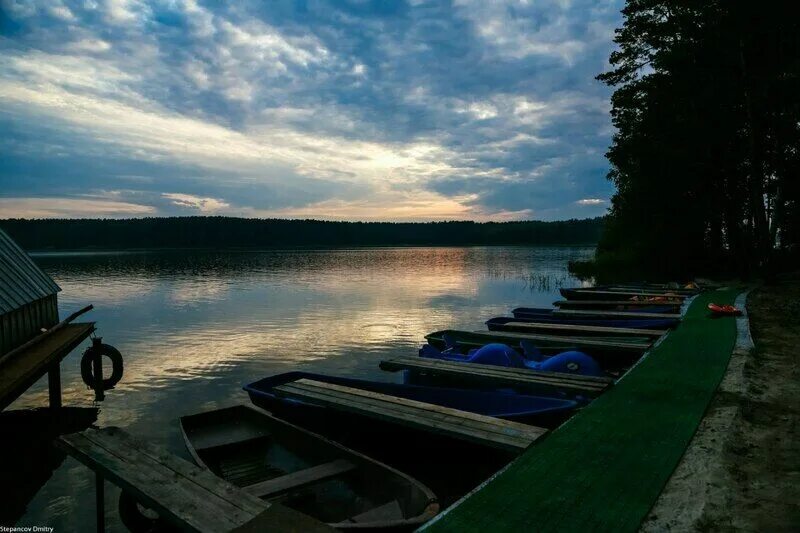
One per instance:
(227, 232)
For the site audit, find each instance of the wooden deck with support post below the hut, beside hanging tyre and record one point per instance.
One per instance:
(21, 370)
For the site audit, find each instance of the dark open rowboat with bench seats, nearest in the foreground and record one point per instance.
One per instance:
(278, 461)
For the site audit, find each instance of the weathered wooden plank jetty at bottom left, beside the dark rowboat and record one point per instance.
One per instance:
(184, 495)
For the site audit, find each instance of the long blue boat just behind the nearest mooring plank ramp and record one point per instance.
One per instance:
(525, 408)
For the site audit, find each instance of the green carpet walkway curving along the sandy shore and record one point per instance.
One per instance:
(604, 469)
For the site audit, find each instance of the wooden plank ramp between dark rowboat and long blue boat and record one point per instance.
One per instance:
(485, 430)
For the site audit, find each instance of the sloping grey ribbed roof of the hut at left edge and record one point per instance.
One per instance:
(21, 281)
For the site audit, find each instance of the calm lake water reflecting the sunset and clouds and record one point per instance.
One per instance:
(194, 327)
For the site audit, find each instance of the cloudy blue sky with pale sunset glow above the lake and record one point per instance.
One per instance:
(345, 110)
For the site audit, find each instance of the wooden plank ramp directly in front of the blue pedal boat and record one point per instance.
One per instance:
(490, 375)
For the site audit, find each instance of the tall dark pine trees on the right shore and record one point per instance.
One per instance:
(706, 155)
